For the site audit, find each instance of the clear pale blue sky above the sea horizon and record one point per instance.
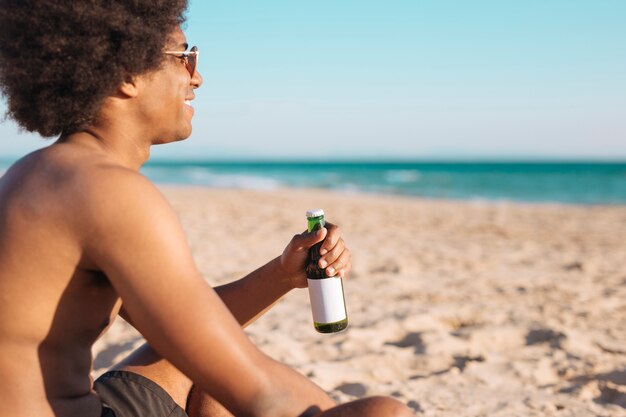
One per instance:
(401, 80)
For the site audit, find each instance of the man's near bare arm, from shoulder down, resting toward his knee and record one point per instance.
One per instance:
(136, 240)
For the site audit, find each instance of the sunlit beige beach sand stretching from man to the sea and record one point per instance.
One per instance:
(455, 308)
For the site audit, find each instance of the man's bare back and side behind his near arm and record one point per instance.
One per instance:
(54, 304)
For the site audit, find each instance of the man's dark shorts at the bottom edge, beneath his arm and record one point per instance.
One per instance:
(126, 394)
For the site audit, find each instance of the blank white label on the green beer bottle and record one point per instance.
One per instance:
(327, 302)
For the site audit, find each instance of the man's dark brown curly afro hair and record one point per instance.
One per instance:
(59, 59)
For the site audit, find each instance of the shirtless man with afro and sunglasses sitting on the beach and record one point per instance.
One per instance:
(85, 237)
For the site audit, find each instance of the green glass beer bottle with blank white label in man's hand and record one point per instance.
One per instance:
(328, 303)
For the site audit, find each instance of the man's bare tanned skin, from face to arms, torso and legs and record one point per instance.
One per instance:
(84, 237)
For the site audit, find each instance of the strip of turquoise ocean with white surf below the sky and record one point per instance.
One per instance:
(537, 182)
